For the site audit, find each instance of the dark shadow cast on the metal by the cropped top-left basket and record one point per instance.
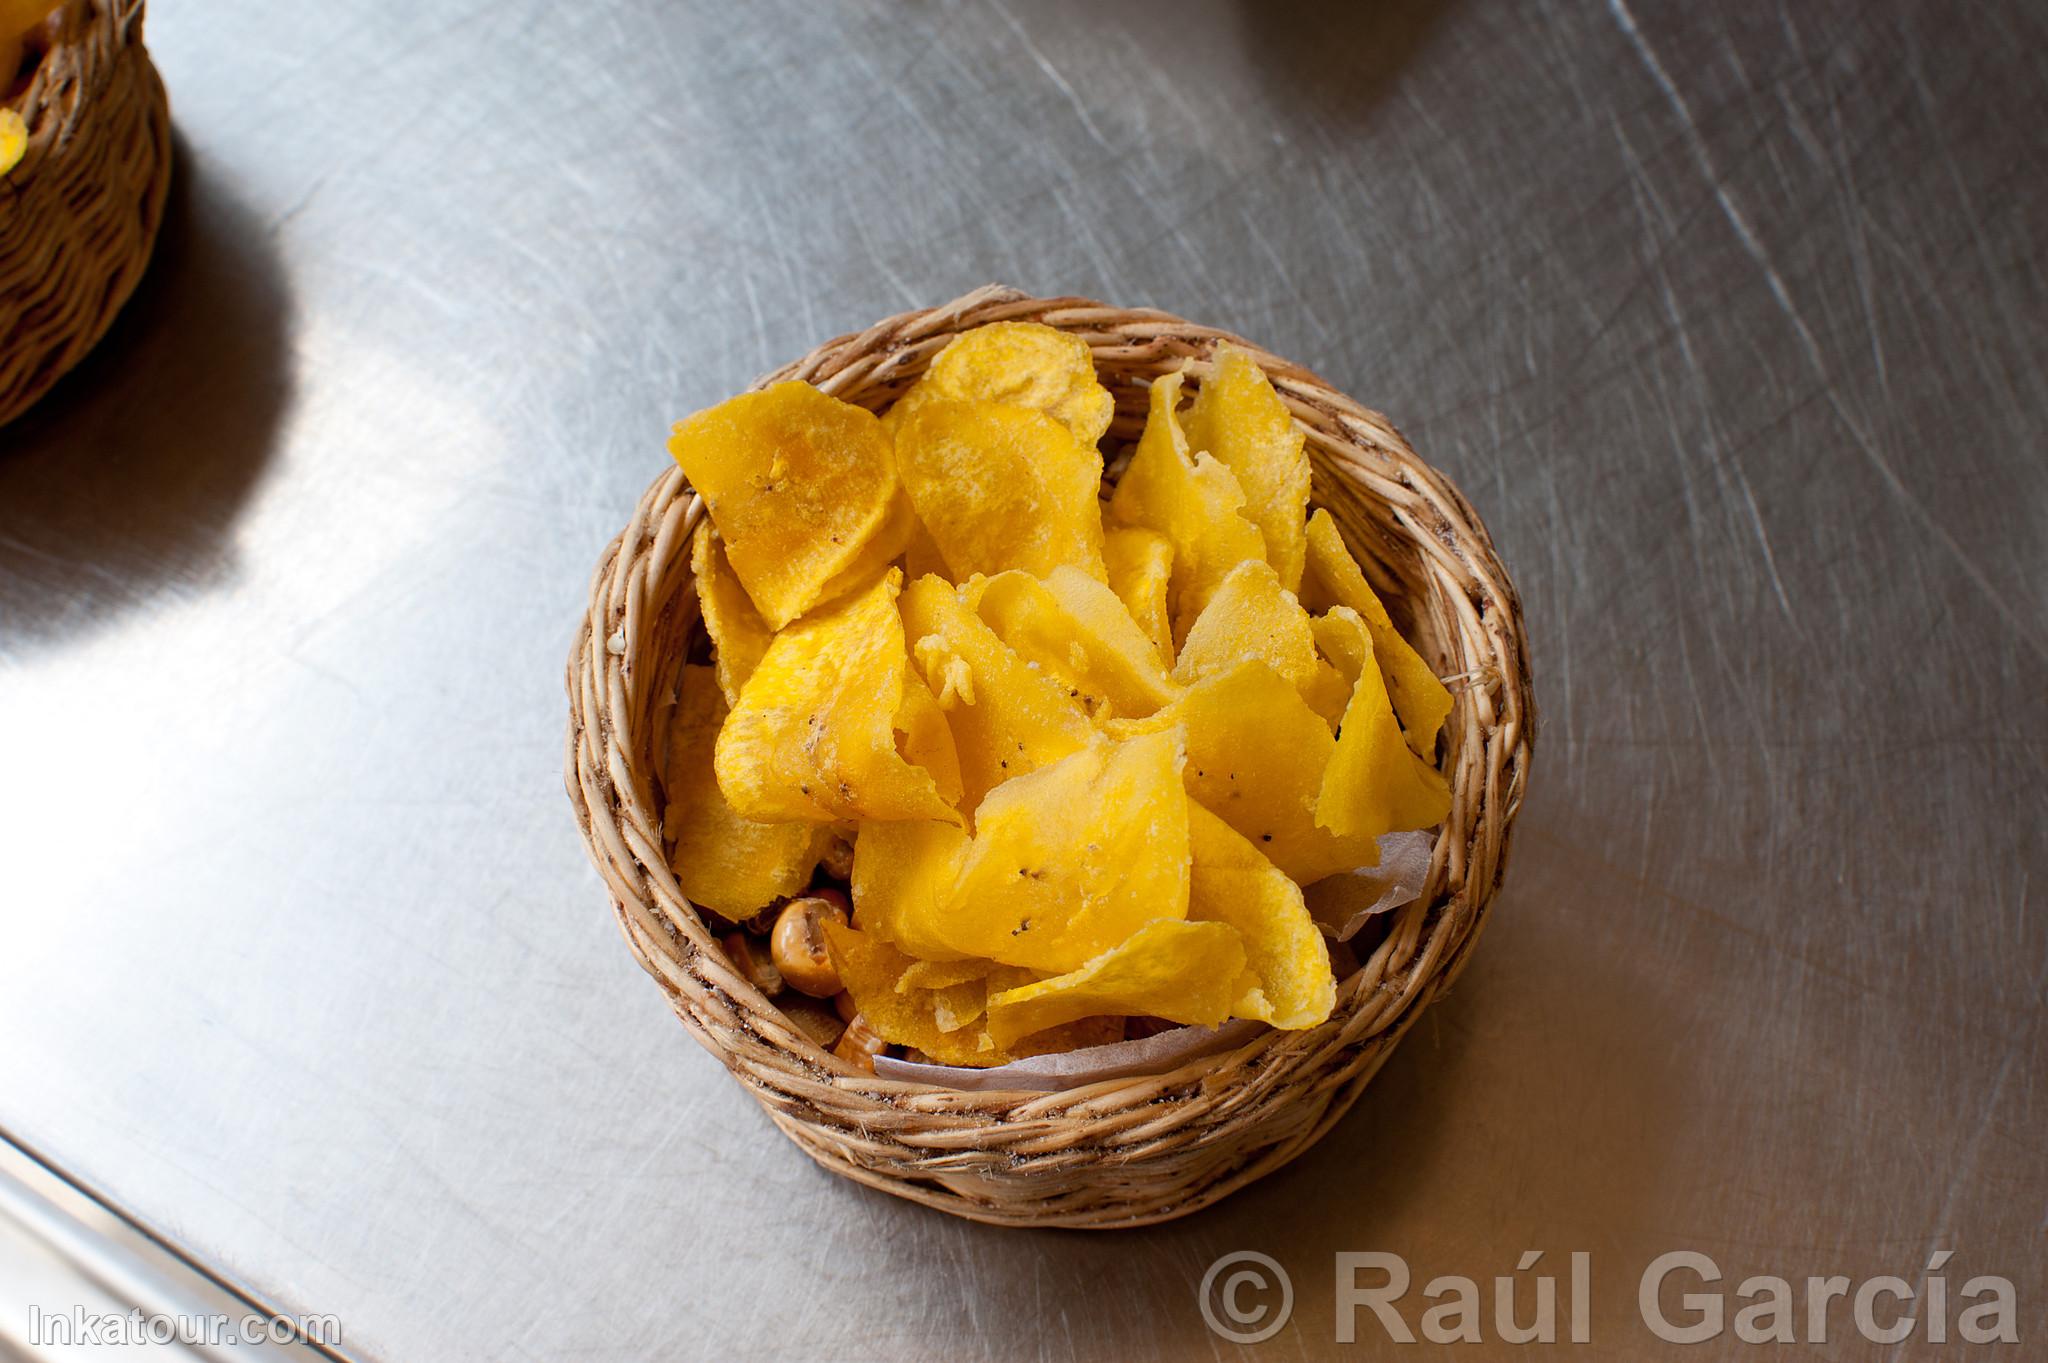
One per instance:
(126, 482)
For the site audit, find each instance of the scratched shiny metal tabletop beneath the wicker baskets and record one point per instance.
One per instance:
(1730, 318)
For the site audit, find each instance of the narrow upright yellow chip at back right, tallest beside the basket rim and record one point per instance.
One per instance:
(1240, 421)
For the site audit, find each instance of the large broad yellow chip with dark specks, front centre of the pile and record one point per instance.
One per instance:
(1070, 861)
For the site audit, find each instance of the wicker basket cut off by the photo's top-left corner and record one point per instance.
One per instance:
(79, 214)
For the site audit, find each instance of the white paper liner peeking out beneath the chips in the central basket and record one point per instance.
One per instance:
(1340, 908)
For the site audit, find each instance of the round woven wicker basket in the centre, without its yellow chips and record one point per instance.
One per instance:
(1117, 1153)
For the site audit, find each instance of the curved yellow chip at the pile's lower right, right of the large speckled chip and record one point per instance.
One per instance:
(1283, 944)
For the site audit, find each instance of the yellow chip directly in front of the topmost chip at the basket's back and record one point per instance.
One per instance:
(1002, 488)
